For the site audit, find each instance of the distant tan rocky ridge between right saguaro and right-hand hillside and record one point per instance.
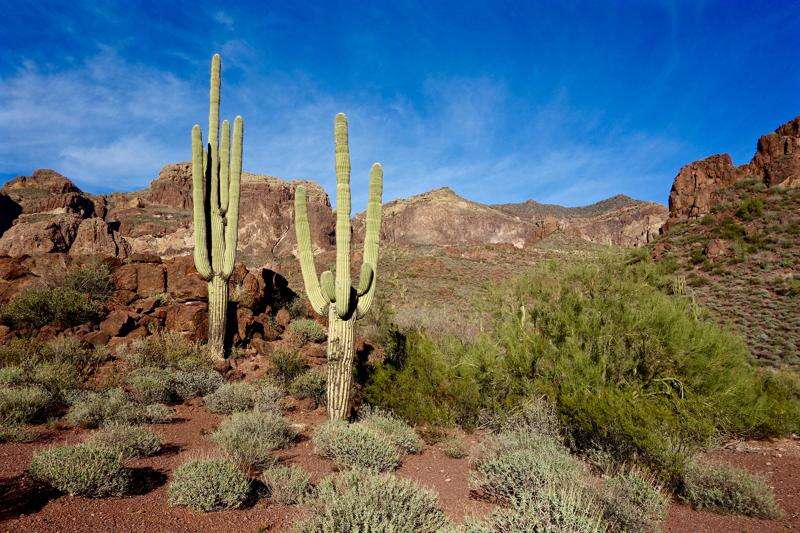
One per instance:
(441, 218)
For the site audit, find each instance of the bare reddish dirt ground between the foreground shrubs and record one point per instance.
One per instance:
(27, 507)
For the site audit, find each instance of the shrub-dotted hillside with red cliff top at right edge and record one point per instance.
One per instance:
(734, 235)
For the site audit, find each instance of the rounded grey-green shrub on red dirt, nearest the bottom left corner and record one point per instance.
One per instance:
(81, 470)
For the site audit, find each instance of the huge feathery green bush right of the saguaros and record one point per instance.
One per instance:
(629, 367)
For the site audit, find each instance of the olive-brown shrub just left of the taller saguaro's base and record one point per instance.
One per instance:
(165, 350)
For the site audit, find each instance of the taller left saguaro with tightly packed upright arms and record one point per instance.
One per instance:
(216, 173)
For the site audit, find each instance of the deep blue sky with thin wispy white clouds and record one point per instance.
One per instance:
(559, 101)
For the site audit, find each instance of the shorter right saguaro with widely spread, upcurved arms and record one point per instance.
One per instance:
(335, 295)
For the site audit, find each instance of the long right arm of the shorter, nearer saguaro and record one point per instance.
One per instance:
(366, 288)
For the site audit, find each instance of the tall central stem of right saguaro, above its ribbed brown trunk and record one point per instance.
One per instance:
(342, 157)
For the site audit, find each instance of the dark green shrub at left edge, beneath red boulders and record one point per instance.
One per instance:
(38, 307)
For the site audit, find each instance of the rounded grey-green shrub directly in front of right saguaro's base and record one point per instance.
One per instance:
(355, 446)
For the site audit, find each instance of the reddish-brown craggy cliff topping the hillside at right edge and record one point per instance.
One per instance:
(697, 186)
